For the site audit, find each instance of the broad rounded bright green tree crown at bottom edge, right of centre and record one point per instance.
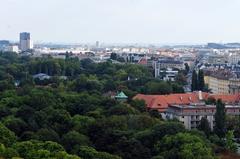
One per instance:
(183, 145)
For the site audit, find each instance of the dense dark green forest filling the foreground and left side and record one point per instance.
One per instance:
(74, 118)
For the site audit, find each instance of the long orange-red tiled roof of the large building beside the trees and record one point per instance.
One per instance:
(161, 102)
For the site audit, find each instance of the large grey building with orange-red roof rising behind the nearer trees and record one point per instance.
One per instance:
(189, 108)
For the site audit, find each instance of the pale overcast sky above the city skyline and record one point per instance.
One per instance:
(122, 21)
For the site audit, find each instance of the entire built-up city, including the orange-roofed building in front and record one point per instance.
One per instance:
(220, 64)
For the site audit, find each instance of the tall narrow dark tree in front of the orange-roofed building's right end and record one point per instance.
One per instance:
(220, 117)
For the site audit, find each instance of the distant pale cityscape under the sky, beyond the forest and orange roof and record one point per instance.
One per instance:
(220, 62)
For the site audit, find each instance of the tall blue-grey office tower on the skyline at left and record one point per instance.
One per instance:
(25, 41)
